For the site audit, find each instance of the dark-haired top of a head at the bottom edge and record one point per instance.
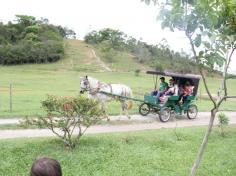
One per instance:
(45, 166)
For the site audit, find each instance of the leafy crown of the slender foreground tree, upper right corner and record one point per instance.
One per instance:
(209, 24)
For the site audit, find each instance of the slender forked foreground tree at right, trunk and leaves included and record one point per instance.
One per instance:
(210, 29)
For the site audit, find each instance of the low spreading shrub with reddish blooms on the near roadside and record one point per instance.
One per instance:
(68, 114)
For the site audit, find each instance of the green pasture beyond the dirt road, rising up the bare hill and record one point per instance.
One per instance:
(31, 83)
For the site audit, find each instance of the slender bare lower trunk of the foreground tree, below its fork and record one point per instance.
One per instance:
(204, 143)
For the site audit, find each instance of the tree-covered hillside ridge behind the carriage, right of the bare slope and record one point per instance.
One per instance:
(160, 56)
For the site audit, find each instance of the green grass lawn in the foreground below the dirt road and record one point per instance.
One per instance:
(151, 152)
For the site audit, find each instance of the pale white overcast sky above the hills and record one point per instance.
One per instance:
(133, 17)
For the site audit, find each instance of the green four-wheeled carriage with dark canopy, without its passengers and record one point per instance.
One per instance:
(172, 105)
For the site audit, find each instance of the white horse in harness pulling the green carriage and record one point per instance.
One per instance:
(106, 92)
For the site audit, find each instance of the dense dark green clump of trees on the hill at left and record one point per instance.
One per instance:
(28, 40)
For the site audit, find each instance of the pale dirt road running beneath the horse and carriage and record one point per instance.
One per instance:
(121, 124)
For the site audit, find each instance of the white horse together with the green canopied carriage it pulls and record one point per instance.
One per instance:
(150, 104)
